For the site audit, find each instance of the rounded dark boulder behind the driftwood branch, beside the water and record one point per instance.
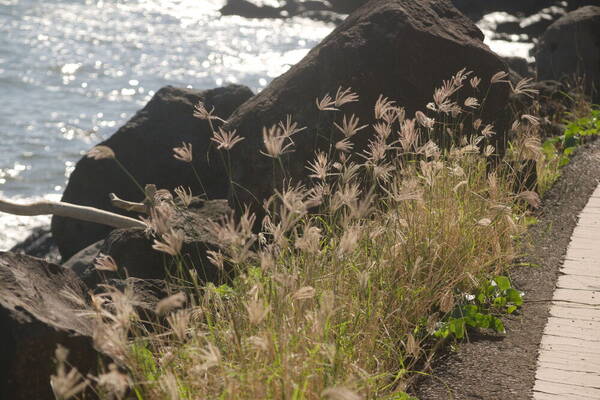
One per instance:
(144, 147)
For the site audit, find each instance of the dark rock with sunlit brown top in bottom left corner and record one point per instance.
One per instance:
(35, 316)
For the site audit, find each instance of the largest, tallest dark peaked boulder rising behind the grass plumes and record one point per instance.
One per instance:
(402, 49)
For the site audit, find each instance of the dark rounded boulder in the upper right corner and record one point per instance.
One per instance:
(570, 48)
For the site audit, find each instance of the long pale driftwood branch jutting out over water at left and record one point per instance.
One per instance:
(62, 209)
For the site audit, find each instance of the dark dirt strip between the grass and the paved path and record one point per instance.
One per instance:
(494, 367)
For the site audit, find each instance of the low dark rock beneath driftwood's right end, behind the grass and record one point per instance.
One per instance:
(132, 248)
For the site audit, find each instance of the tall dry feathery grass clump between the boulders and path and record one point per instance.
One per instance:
(356, 275)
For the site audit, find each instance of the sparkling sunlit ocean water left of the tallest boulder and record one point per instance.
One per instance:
(73, 71)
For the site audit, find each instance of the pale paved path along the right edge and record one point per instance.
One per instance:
(569, 359)
